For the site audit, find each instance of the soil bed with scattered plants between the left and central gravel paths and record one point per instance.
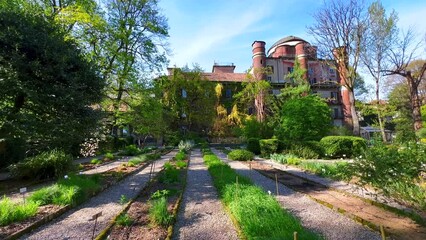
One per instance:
(136, 222)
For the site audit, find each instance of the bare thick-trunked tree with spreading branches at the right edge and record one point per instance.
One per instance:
(402, 63)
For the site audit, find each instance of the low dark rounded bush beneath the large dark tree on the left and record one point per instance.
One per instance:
(50, 164)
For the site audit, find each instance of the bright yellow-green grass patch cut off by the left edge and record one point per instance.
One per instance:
(14, 212)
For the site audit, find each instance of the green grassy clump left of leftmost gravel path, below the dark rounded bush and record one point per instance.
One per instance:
(73, 190)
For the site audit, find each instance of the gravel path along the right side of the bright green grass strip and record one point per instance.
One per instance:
(313, 215)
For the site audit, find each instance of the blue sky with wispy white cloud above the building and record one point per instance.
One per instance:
(222, 31)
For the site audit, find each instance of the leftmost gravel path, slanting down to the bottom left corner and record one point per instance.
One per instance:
(76, 224)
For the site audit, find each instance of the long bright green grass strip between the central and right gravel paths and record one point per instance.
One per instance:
(259, 215)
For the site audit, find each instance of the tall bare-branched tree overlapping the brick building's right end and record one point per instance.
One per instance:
(338, 31)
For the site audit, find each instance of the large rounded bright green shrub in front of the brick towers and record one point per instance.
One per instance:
(304, 118)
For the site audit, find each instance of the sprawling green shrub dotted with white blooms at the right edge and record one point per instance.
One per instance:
(394, 170)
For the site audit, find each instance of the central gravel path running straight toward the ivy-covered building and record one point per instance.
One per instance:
(201, 215)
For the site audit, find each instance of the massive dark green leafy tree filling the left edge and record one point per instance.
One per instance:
(47, 87)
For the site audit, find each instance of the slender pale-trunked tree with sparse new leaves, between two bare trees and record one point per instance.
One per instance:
(380, 36)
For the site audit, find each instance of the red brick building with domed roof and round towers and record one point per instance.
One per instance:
(280, 58)
